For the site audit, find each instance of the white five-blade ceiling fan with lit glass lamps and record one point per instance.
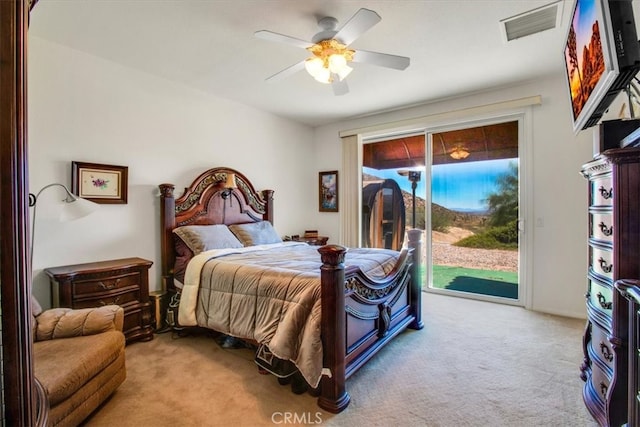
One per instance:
(330, 53)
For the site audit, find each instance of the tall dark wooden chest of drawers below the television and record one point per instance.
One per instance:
(614, 253)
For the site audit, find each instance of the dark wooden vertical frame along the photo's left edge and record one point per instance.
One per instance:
(19, 401)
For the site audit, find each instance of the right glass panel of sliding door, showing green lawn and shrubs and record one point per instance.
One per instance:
(474, 189)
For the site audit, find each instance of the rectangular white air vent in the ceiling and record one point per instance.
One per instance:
(532, 22)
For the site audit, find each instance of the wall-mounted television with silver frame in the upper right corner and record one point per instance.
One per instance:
(601, 54)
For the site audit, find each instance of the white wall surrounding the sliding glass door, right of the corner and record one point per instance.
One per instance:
(559, 254)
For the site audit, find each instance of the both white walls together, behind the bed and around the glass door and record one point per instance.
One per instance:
(88, 109)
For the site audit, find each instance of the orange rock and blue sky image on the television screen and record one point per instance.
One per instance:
(583, 54)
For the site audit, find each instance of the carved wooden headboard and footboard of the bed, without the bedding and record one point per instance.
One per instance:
(359, 315)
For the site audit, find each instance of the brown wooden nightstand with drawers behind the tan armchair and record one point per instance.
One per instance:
(124, 282)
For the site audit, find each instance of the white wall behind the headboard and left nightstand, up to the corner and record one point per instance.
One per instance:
(87, 109)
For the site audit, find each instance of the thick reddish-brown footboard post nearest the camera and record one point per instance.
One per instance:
(333, 396)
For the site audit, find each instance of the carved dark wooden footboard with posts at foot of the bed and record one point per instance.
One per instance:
(359, 315)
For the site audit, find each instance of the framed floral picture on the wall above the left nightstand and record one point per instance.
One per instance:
(106, 184)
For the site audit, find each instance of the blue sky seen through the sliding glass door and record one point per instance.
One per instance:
(456, 186)
